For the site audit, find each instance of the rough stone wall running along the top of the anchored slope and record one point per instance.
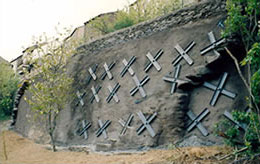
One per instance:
(203, 10)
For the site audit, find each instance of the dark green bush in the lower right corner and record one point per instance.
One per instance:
(236, 137)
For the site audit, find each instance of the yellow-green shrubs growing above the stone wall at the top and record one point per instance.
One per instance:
(140, 11)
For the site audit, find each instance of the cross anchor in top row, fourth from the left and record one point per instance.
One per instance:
(153, 61)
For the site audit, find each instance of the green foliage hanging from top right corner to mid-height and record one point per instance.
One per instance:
(243, 21)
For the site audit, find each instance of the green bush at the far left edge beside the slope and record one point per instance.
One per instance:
(8, 88)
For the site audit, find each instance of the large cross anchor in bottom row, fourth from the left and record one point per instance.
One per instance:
(146, 123)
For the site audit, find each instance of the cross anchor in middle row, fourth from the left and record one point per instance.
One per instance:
(139, 85)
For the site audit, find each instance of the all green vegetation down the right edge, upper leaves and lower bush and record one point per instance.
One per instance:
(243, 22)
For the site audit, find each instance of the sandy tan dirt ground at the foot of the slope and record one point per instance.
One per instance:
(15, 149)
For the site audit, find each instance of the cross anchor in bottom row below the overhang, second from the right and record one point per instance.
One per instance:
(195, 121)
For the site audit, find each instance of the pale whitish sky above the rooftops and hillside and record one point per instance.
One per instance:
(20, 20)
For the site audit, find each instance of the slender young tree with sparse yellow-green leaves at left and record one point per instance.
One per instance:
(50, 85)
